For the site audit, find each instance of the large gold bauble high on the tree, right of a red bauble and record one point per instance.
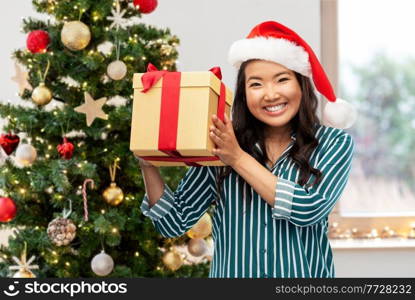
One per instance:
(75, 35)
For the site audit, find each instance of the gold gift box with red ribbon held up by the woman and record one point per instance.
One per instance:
(172, 114)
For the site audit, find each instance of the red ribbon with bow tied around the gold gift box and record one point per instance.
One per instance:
(169, 113)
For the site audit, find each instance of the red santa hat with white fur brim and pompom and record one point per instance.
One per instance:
(274, 42)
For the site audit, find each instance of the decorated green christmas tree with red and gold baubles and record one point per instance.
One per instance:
(69, 186)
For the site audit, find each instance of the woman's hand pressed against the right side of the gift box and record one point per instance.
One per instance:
(227, 146)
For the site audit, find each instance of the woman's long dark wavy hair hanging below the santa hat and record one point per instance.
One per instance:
(249, 131)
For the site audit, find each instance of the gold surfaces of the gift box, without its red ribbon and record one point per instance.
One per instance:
(199, 95)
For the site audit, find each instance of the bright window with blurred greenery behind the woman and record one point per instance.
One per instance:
(369, 55)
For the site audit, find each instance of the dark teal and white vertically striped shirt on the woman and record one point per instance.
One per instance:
(251, 238)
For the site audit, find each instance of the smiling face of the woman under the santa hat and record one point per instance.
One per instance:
(273, 93)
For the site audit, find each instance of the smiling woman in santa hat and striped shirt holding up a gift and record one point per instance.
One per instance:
(285, 171)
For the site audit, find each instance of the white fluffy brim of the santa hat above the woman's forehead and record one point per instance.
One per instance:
(281, 51)
